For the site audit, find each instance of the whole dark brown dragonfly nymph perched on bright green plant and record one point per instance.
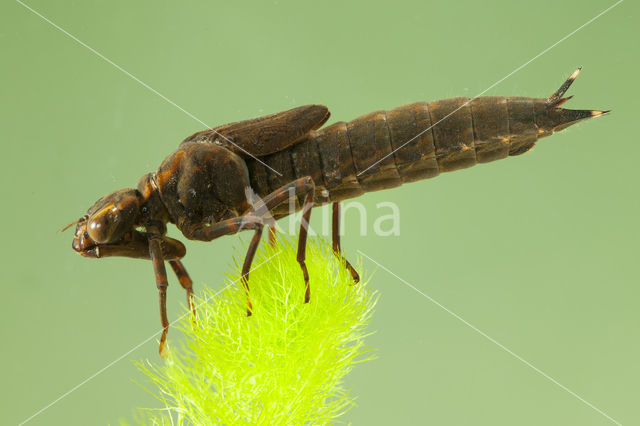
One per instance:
(202, 187)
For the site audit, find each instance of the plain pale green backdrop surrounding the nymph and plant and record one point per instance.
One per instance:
(540, 251)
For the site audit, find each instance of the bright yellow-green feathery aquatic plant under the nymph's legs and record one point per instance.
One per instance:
(285, 364)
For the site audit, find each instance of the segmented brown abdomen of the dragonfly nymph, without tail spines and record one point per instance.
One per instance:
(384, 149)
